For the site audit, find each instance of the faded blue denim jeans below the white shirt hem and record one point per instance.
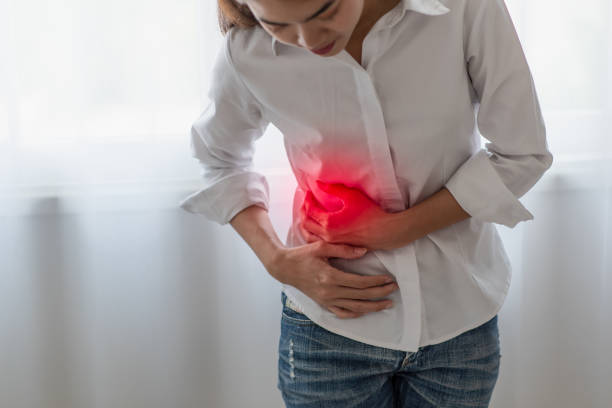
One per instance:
(318, 368)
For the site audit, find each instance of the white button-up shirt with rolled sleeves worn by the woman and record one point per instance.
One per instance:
(435, 75)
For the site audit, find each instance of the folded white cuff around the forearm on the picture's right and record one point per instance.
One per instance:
(480, 191)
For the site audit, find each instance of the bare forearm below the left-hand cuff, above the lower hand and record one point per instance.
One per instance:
(254, 226)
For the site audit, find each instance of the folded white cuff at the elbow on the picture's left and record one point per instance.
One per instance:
(223, 200)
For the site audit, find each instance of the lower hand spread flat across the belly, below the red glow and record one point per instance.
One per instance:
(346, 294)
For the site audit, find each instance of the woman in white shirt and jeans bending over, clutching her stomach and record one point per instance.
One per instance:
(393, 271)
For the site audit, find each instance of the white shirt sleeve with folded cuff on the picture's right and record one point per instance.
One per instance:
(489, 184)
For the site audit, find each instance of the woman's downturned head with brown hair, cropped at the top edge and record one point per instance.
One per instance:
(310, 24)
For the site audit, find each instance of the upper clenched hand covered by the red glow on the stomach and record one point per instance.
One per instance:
(358, 221)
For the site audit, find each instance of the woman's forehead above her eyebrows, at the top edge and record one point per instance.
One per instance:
(285, 11)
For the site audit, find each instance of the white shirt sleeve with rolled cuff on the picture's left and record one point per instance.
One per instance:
(222, 140)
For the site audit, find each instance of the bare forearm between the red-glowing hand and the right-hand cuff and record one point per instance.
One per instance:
(437, 211)
